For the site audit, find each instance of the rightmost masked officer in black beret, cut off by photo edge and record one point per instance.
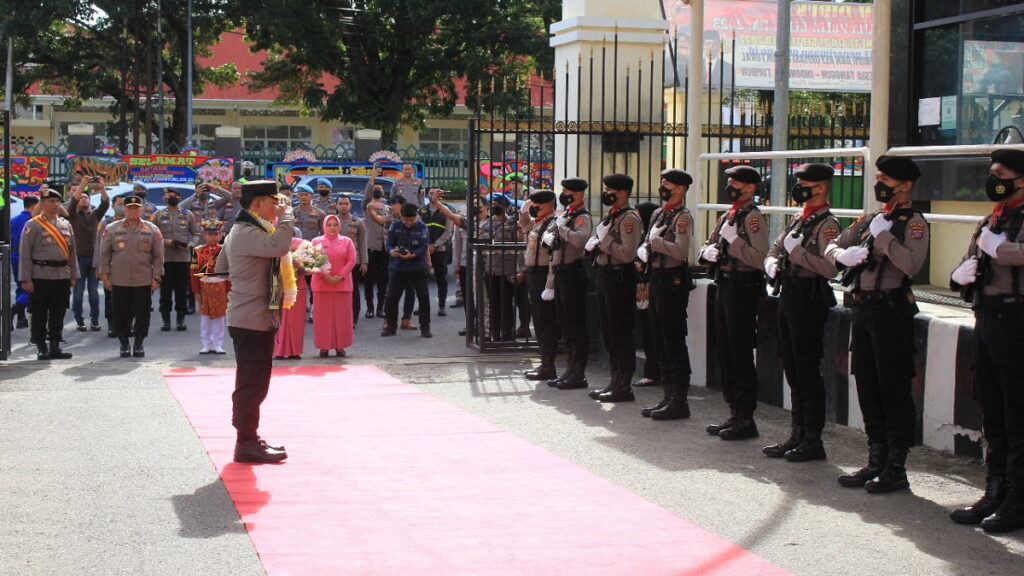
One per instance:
(993, 266)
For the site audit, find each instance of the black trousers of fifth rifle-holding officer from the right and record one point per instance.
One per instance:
(670, 296)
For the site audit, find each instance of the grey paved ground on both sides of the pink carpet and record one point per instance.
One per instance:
(103, 474)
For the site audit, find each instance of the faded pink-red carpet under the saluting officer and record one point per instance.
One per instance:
(385, 479)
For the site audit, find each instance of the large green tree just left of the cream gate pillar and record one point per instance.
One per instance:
(388, 64)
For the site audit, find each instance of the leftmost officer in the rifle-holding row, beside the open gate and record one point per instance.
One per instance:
(541, 284)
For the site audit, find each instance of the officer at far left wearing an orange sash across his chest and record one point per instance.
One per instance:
(49, 270)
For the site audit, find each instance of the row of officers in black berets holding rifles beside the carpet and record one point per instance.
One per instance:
(641, 260)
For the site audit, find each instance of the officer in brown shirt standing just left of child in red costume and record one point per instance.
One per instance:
(181, 232)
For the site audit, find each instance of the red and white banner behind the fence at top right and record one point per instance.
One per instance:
(830, 48)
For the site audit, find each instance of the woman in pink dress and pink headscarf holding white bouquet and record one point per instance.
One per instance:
(333, 292)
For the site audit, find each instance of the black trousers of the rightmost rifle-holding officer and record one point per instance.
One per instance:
(999, 378)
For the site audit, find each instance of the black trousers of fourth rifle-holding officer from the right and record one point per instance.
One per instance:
(736, 339)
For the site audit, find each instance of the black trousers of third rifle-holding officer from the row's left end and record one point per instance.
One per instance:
(617, 291)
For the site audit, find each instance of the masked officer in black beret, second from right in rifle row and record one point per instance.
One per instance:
(885, 250)
